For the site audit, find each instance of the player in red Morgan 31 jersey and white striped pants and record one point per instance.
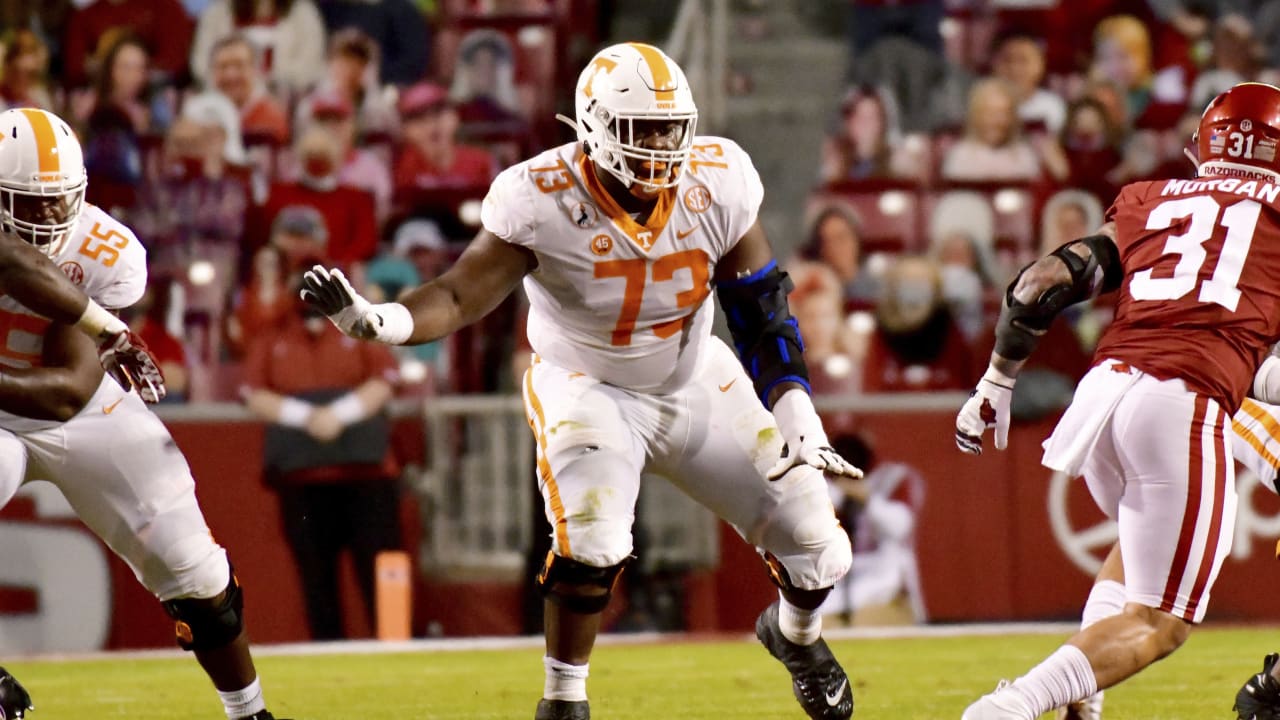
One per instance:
(1195, 265)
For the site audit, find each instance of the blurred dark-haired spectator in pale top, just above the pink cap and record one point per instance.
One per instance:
(351, 78)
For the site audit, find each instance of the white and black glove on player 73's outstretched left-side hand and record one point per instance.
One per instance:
(330, 293)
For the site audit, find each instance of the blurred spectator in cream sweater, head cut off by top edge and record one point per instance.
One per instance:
(287, 38)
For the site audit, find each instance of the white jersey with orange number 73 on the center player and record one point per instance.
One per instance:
(614, 299)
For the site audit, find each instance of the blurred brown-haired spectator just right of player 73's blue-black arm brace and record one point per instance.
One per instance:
(835, 240)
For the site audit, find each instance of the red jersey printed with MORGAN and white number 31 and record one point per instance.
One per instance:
(1200, 300)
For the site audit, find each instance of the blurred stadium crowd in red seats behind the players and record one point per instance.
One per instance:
(245, 140)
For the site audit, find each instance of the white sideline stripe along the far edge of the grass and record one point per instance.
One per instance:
(532, 642)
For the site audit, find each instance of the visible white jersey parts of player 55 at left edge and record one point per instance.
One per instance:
(104, 259)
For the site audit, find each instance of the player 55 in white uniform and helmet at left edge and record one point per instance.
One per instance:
(62, 421)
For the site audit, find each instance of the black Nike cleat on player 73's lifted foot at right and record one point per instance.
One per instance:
(817, 680)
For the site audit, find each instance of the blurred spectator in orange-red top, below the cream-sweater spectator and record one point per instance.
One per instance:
(235, 72)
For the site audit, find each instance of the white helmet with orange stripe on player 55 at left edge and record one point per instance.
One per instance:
(43, 177)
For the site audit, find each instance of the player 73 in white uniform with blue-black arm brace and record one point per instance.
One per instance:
(620, 239)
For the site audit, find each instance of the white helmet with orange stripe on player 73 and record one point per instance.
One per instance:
(625, 84)
